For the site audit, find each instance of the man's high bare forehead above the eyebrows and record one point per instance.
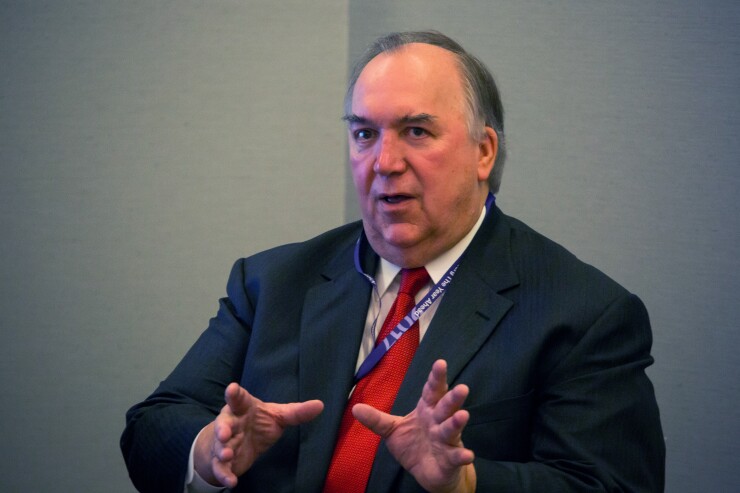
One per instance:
(416, 78)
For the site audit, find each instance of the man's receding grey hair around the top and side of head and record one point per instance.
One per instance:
(481, 94)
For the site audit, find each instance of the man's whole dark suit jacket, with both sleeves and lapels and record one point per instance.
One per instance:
(553, 351)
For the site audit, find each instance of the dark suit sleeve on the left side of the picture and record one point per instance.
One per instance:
(160, 431)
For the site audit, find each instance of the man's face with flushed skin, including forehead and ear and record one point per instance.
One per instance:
(420, 178)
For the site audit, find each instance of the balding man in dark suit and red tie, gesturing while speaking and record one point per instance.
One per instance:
(545, 354)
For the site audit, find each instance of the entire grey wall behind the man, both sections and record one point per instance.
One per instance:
(146, 145)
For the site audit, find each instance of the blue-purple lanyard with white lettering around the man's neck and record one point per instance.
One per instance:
(405, 324)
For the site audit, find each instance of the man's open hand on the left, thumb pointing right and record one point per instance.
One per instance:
(246, 427)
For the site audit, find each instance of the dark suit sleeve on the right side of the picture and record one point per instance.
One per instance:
(595, 426)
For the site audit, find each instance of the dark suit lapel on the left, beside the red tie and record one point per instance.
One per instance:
(331, 330)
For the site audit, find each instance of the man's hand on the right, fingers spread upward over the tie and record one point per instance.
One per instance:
(426, 442)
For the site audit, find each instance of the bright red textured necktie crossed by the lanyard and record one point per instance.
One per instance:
(355, 450)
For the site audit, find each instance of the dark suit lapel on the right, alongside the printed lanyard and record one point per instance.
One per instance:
(467, 316)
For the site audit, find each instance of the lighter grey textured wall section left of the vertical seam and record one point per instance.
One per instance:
(144, 146)
